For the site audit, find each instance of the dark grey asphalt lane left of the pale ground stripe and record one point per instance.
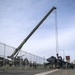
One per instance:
(22, 72)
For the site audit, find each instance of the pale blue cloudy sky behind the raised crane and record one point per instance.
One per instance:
(19, 17)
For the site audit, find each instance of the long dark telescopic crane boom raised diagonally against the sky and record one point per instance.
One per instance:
(30, 34)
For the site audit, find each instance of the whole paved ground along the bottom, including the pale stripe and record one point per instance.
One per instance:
(38, 72)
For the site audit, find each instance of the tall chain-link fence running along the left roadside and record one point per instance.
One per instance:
(24, 59)
